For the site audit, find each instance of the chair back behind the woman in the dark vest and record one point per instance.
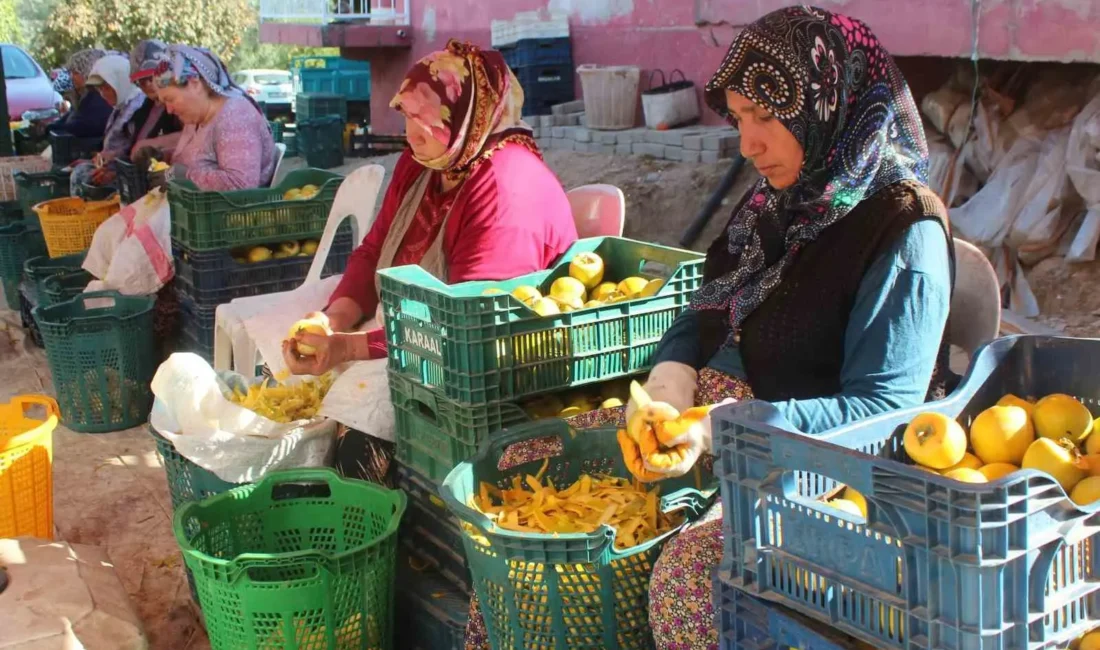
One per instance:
(976, 306)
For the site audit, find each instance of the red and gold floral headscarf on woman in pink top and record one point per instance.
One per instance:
(469, 101)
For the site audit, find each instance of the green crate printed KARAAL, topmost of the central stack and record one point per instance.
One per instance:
(478, 349)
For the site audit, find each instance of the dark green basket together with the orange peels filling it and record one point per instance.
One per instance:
(551, 535)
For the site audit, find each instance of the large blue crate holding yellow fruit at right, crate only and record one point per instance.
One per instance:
(1009, 565)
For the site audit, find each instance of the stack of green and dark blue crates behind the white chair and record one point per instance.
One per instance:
(250, 243)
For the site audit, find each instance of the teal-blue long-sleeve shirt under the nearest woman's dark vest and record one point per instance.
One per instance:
(890, 345)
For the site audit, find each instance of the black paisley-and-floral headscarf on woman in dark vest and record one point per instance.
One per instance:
(828, 80)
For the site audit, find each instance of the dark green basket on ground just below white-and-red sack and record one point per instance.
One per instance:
(102, 350)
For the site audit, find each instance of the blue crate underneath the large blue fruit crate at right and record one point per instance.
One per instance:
(751, 624)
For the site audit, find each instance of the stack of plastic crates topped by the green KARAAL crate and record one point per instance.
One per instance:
(470, 360)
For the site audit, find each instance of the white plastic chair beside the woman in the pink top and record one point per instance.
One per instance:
(356, 200)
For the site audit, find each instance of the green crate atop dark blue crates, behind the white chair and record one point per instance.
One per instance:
(211, 221)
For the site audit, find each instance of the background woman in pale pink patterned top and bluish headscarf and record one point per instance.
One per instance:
(226, 144)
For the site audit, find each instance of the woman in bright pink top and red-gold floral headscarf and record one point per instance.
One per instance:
(470, 200)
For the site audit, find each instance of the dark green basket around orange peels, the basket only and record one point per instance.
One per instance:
(553, 592)
